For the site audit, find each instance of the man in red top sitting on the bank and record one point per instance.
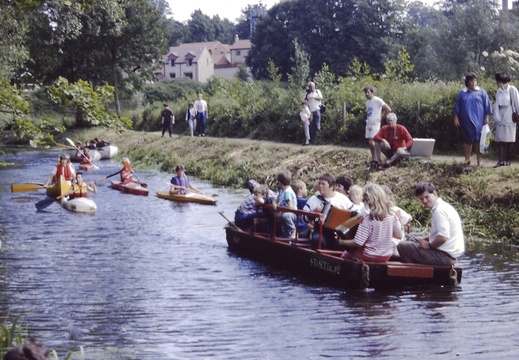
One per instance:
(393, 140)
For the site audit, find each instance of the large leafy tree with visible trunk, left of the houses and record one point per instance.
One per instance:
(115, 42)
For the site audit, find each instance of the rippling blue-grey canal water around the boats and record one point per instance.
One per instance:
(146, 278)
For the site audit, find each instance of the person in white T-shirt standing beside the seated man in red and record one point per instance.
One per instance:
(374, 116)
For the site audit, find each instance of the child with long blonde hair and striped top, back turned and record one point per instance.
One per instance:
(372, 242)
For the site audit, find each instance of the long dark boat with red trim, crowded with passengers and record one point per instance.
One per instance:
(326, 265)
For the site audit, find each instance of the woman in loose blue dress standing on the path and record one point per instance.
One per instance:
(471, 111)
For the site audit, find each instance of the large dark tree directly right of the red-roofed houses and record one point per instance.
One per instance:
(331, 31)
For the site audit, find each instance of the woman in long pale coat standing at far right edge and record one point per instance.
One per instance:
(507, 100)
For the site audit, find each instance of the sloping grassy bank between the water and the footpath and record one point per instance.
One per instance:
(486, 198)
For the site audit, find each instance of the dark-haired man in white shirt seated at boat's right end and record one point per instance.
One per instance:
(446, 241)
